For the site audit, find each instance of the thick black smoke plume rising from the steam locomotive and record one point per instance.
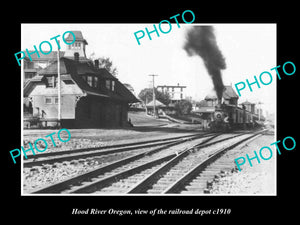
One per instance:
(201, 41)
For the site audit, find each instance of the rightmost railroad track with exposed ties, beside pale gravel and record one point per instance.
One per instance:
(190, 173)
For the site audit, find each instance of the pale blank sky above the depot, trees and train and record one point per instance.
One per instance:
(249, 49)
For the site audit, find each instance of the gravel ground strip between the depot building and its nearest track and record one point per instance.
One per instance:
(84, 138)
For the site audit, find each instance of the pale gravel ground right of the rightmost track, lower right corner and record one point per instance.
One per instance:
(260, 179)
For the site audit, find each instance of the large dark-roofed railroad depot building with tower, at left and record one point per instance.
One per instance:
(90, 96)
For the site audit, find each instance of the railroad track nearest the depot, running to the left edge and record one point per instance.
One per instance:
(69, 155)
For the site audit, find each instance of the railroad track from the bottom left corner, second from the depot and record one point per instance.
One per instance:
(165, 150)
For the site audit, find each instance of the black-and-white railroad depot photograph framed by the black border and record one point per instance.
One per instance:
(144, 109)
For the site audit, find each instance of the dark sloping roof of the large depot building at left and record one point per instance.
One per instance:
(74, 70)
